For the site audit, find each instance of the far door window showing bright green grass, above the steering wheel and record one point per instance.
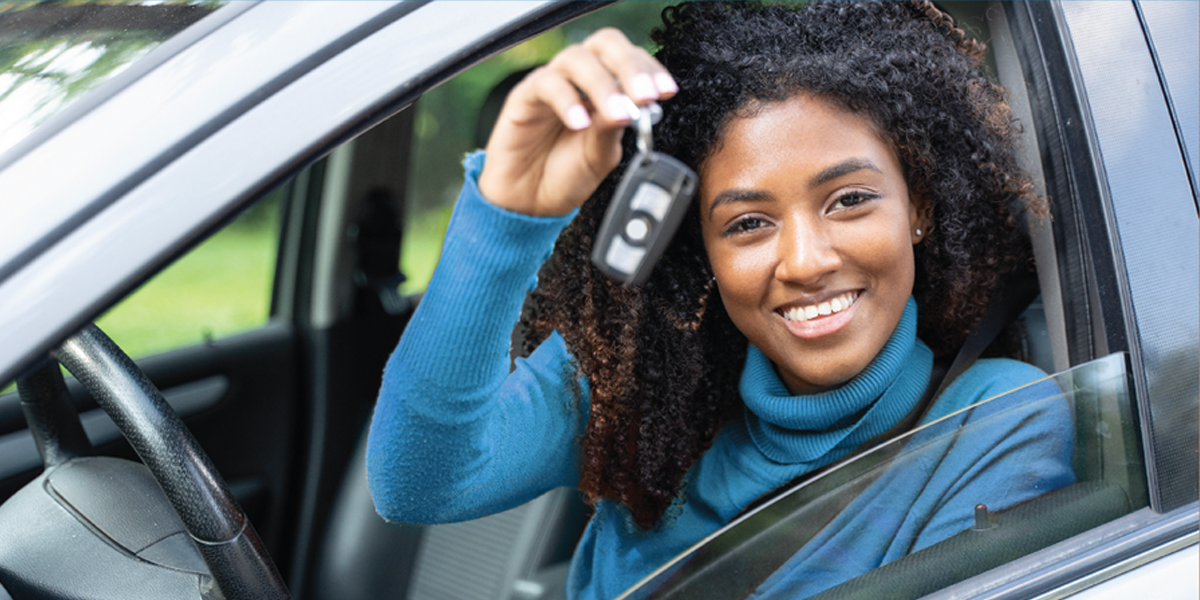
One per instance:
(219, 289)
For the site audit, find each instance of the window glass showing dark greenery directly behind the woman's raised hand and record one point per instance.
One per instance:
(457, 118)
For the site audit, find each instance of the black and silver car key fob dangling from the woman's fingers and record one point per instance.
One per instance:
(647, 208)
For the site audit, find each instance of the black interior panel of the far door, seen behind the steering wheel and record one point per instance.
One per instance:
(238, 397)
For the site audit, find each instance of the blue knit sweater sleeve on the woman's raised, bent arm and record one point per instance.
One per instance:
(455, 436)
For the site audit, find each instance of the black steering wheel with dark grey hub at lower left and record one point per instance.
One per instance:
(109, 497)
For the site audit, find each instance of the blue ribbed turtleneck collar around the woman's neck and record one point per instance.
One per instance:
(823, 428)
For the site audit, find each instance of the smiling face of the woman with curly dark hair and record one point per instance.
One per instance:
(809, 230)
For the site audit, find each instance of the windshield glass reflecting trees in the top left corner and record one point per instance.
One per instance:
(52, 53)
